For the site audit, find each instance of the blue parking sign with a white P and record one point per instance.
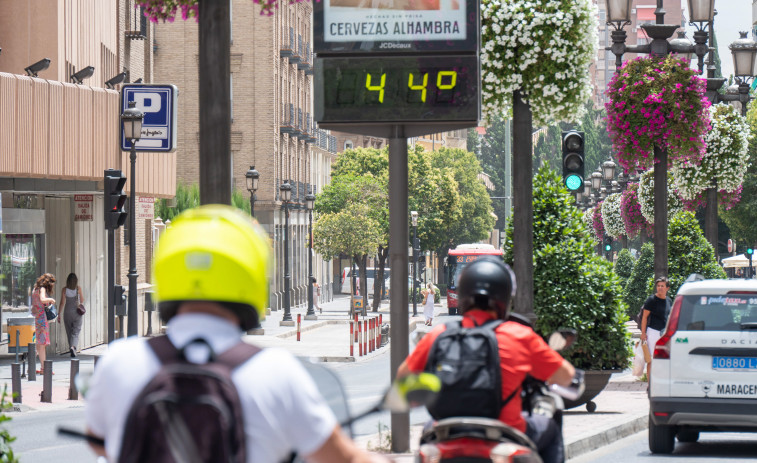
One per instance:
(158, 104)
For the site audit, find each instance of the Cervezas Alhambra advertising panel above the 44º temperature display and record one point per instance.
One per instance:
(395, 26)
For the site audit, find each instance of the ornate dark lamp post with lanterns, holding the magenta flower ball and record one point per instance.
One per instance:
(701, 13)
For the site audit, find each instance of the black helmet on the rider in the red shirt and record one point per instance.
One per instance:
(488, 284)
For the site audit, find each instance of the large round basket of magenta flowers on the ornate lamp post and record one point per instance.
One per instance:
(660, 101)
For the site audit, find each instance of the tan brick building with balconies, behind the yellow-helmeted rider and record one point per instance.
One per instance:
(272, 124)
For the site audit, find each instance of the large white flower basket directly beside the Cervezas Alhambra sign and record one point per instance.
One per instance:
(542, 48)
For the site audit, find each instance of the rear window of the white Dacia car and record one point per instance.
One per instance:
(731, 312)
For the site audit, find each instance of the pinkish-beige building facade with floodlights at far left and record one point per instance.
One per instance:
(56, 139)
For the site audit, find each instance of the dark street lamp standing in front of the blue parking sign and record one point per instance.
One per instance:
(131, 121)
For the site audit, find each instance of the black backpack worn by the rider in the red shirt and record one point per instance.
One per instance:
(466, 360)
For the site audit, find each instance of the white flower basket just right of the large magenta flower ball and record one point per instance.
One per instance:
(725, 161)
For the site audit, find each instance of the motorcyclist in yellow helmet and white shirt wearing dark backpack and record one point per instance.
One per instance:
(211, 285)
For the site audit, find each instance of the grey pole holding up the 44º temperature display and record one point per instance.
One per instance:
(398, 235)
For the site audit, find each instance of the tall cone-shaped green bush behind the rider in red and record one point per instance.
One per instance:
(573, 287)
